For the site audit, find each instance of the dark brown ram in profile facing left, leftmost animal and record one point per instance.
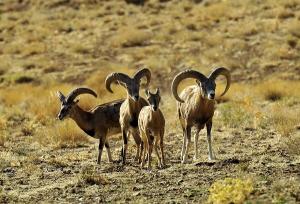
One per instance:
(99, 122)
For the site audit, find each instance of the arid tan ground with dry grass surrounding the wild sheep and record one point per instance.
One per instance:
(46, 46)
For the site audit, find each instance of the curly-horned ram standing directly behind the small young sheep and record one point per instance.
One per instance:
(131, 107)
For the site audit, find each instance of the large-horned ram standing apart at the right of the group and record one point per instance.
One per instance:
(196, 106)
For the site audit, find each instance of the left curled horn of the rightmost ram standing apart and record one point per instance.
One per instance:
(183, 75)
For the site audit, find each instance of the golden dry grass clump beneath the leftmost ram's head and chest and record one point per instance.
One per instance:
(63, 134)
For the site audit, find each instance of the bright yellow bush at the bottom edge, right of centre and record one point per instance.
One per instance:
(230, 190)
